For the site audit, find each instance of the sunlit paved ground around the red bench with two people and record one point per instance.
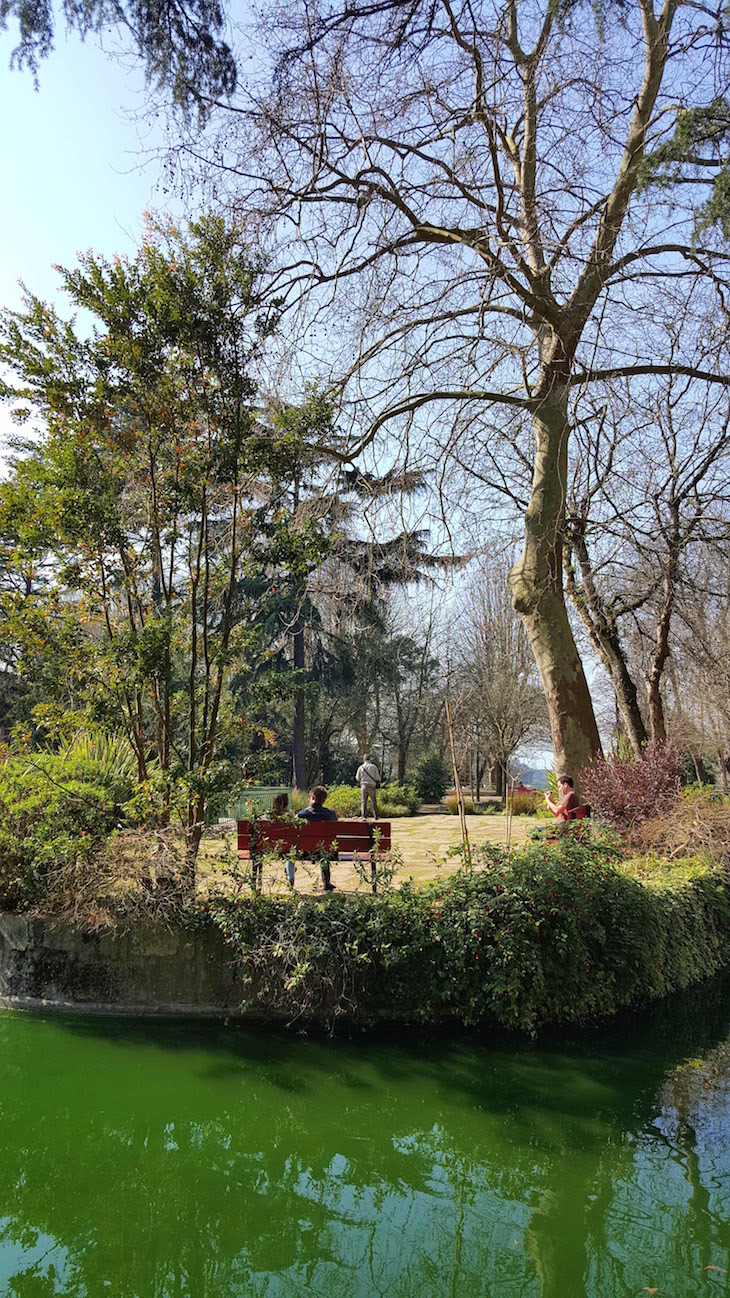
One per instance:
(423, 842)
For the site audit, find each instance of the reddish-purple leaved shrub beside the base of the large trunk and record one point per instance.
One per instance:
(628, 791)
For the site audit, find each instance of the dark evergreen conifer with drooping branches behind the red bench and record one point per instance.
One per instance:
(332, 659)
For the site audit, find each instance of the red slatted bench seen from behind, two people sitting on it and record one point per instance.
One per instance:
(345, 840)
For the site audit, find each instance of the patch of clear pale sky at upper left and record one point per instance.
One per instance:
(77, 171)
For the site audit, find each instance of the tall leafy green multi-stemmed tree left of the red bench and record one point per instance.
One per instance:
(153, 496)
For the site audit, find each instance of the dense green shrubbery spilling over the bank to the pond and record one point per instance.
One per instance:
(551, 934)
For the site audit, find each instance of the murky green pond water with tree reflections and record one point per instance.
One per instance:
(146, 1160)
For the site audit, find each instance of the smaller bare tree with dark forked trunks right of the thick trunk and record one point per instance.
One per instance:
(651, 487)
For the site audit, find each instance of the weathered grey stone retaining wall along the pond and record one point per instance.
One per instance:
(147, 972)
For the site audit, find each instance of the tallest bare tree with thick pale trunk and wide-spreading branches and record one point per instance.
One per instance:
(463, 184)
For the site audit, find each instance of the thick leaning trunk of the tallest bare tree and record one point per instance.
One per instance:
(537, 593)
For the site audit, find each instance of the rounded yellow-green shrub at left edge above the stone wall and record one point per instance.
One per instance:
(55, 811)
